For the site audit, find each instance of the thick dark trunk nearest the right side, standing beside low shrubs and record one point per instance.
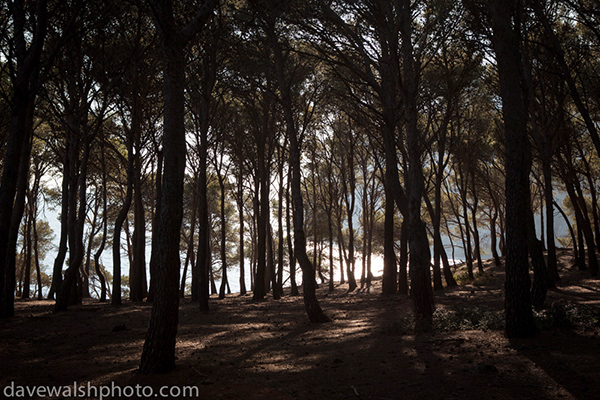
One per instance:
(506, 42)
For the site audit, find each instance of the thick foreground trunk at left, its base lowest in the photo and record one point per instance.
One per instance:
(158, 354)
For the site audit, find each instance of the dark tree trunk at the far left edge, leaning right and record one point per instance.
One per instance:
(26, 60)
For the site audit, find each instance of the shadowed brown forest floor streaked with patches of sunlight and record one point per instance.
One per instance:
(268, 350)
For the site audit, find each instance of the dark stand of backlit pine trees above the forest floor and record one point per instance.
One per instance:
(310, 134)
